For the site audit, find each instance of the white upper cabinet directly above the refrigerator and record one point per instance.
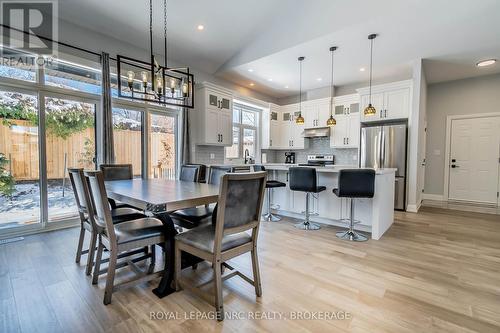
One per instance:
(392, 101)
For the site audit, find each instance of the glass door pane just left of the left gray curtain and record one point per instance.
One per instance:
(70, 139)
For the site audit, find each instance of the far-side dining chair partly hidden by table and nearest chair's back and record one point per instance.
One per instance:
(191, 217)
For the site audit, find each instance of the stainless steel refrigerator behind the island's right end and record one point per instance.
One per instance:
(384, 146)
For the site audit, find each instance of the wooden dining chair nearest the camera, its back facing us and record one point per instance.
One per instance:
(240, 205)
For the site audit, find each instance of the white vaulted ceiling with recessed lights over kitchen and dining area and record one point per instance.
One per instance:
(267, 36)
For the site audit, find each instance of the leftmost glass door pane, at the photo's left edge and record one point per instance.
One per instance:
(19, 160)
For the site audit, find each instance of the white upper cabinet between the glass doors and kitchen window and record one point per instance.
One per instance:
(212, 119)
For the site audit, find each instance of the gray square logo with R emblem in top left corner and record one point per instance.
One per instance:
(29, 26)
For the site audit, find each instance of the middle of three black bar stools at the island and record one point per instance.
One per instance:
(304, 179)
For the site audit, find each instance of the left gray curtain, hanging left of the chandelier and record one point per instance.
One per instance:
(107, 112)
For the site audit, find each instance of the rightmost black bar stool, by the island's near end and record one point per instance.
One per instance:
(355, 183)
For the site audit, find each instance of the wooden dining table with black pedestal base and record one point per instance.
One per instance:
(159, 197)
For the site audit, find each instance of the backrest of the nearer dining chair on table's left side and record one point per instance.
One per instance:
(99, 199)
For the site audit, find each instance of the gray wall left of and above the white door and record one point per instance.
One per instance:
(461, 97)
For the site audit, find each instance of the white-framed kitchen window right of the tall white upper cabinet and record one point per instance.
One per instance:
(245, 131)
